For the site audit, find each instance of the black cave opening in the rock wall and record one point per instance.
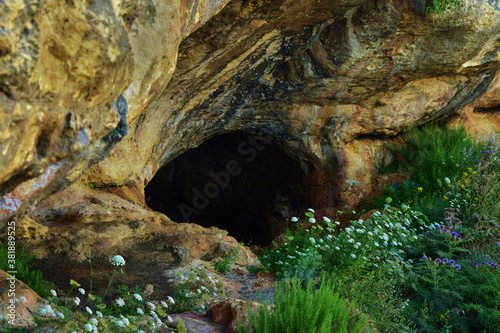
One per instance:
(236, 182)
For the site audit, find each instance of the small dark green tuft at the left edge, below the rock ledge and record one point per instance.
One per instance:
(24, 267)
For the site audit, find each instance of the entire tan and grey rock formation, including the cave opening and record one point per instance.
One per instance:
(291, 99)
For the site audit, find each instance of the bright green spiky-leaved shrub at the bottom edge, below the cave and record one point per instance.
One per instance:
(296, 309)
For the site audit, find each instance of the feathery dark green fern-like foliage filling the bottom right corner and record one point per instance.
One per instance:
(465, 298)
